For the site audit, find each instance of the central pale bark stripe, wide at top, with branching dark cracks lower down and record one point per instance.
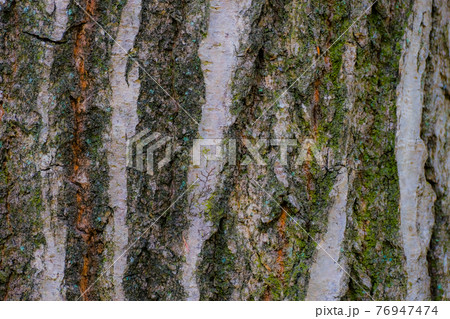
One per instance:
(218, 55)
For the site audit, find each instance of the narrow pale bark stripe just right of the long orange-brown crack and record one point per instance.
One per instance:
(124, 121)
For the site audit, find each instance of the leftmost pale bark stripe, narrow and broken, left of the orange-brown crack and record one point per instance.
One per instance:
(50, 259)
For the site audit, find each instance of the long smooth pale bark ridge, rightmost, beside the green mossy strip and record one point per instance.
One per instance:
(416, 195)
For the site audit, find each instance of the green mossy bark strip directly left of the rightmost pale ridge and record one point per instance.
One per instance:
(377, 190)
